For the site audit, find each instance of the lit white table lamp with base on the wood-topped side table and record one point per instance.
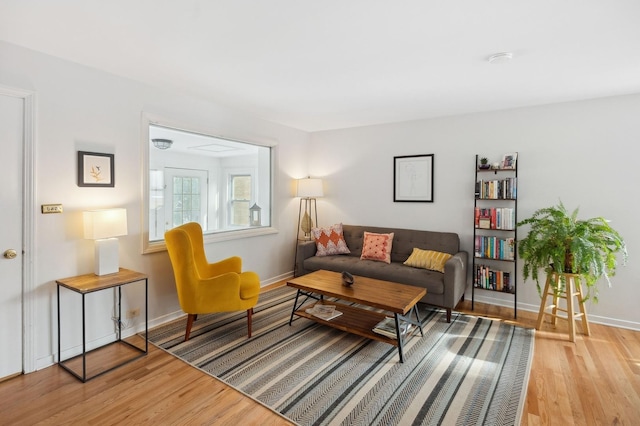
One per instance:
(104, 226)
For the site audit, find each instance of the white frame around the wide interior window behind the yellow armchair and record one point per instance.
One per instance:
(147, 246)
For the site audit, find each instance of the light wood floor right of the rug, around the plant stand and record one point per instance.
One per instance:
(594, 381)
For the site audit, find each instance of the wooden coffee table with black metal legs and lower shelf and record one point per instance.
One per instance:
(399, 299)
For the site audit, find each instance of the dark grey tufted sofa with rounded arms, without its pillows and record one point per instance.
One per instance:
(443, 289)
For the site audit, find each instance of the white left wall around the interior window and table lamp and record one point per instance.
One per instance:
(79, 108)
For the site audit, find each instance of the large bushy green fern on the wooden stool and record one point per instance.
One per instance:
(559, 241)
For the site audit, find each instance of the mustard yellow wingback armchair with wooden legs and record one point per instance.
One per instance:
(205, 287)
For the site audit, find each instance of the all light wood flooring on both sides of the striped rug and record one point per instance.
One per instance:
(595, 381)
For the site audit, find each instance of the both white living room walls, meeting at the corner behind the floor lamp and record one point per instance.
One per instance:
(584, 153)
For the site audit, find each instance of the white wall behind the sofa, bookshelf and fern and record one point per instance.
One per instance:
(583, 153)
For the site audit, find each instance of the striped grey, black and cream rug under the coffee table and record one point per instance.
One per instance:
(472, 371)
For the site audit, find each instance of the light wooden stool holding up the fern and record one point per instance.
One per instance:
(572, 288)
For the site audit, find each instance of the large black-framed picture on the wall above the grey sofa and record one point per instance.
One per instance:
(413, 178)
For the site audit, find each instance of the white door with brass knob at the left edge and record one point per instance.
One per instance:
(11, 163)
